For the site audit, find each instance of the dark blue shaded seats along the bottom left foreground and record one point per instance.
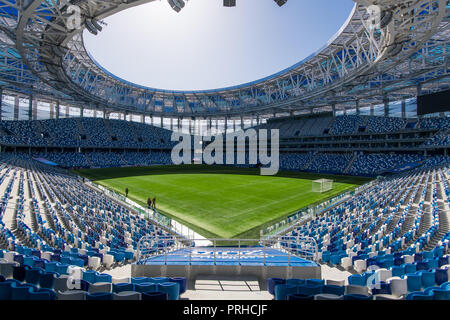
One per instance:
(42, 284)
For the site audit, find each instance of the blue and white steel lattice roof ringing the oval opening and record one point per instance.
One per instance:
(40, 56)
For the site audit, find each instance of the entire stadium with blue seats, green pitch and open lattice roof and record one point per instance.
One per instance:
(96, 206)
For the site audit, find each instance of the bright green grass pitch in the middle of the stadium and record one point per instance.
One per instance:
(220, 201)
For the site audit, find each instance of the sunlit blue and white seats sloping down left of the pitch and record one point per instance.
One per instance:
(59, 223)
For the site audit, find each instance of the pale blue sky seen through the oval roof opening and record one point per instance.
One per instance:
(207, 46)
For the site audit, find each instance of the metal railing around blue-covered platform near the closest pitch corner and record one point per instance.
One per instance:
(175, 250)
